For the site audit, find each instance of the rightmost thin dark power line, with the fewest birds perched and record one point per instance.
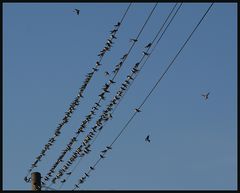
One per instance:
(154, 87)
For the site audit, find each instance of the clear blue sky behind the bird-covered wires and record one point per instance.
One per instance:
(48, 50)
